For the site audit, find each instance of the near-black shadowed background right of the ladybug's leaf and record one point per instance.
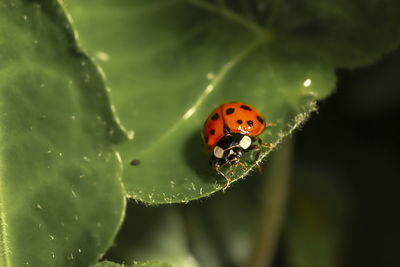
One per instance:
(356, 133)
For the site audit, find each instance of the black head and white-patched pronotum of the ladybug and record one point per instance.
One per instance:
(230, 148)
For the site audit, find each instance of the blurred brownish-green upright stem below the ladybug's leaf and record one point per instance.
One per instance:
(274, 195)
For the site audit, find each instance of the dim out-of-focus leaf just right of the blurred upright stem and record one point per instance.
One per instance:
(315, 224)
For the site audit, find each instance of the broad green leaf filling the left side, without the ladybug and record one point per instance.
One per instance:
(61, 199)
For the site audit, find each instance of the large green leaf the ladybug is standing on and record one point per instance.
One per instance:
(170, 63)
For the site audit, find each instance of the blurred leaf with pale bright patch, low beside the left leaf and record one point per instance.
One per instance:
(157, 233)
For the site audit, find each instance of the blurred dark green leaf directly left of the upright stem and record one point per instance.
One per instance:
(219, 235)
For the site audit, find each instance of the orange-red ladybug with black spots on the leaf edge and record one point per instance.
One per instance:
(230, 131)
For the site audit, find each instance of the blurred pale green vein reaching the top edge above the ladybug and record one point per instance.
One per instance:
(263, 33)
